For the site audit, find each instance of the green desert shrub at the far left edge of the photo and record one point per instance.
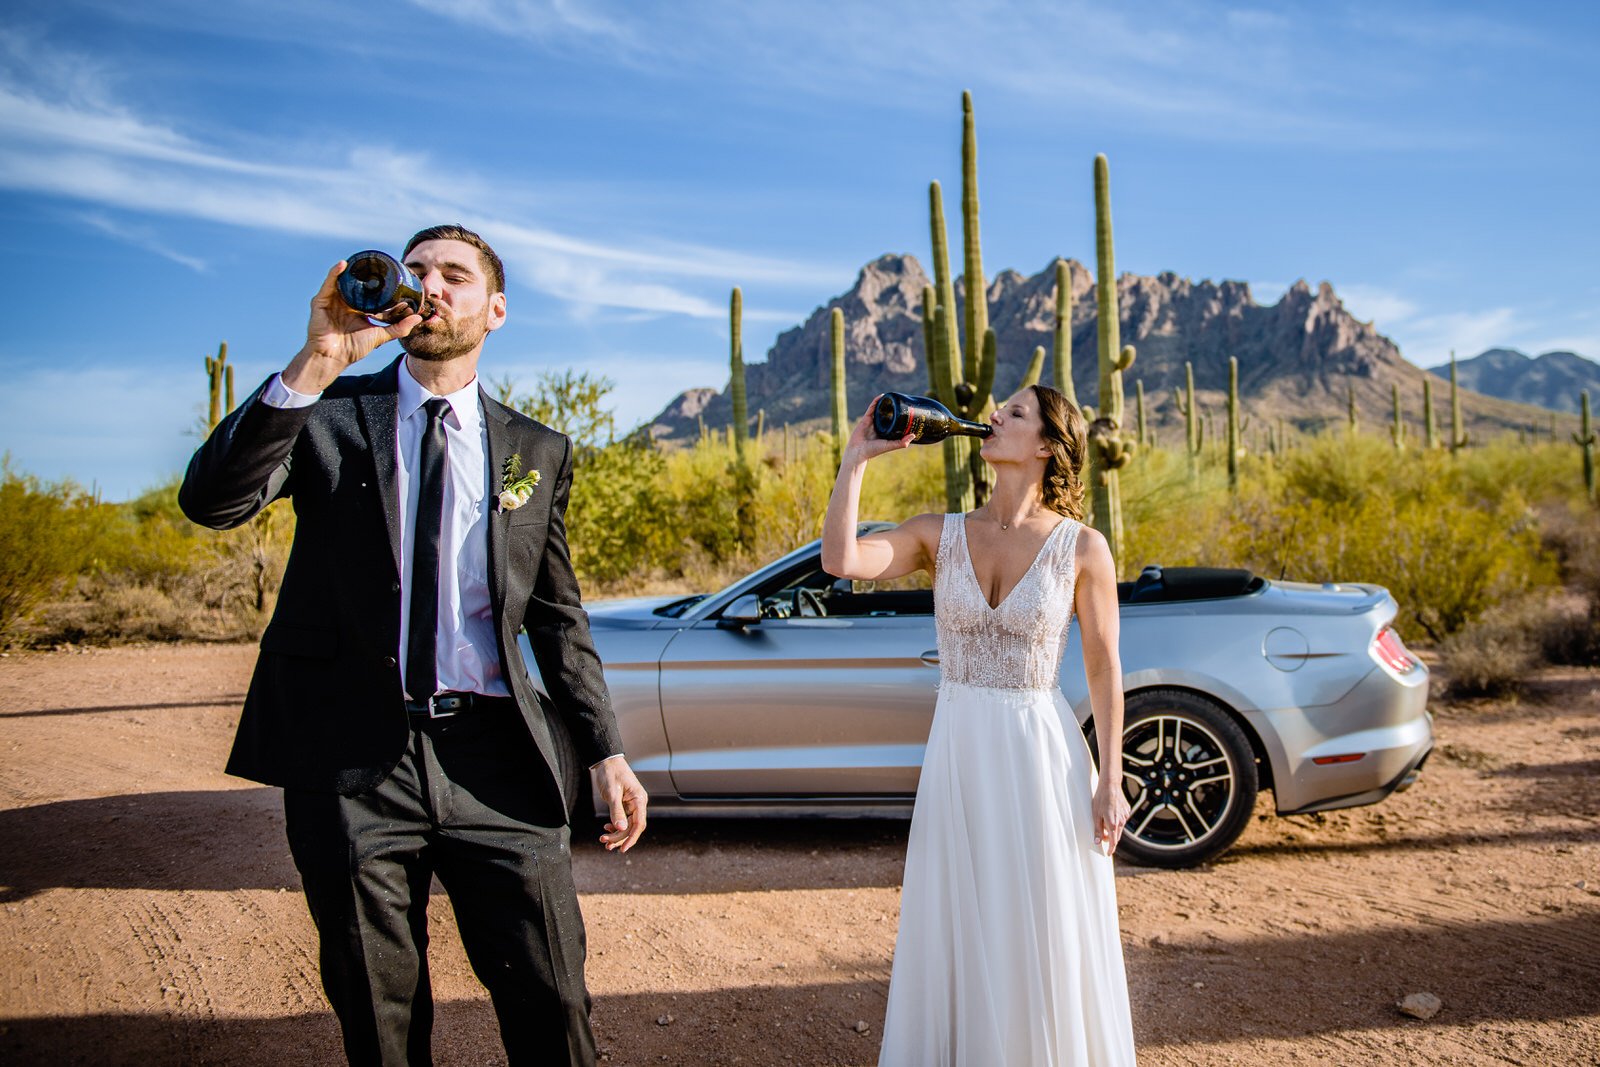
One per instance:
(46, 535)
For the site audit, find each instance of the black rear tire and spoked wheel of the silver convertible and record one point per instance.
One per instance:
(1190, 777)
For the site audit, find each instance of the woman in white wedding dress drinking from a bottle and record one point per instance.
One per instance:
(1009, 951)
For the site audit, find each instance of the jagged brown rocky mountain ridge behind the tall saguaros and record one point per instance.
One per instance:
(1297, 358)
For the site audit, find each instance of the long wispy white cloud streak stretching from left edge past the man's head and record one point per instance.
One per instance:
(65, 137)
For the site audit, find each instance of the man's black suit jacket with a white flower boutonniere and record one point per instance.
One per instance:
(326, 709)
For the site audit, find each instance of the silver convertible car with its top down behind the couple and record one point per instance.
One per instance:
(798, 693)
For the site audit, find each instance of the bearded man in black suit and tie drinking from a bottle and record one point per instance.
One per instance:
(390, 700)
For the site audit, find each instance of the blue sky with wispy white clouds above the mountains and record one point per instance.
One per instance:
(178, 174)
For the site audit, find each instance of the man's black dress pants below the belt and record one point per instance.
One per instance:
(466, 804)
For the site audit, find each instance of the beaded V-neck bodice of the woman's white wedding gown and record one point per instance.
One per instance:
(1018, 644)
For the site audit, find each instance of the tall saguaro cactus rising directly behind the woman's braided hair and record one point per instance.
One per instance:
(1110, 447)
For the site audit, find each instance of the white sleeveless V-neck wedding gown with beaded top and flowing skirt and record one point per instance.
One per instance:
(1009, 951)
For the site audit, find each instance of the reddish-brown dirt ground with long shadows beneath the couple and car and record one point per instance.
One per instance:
(153, 914)
